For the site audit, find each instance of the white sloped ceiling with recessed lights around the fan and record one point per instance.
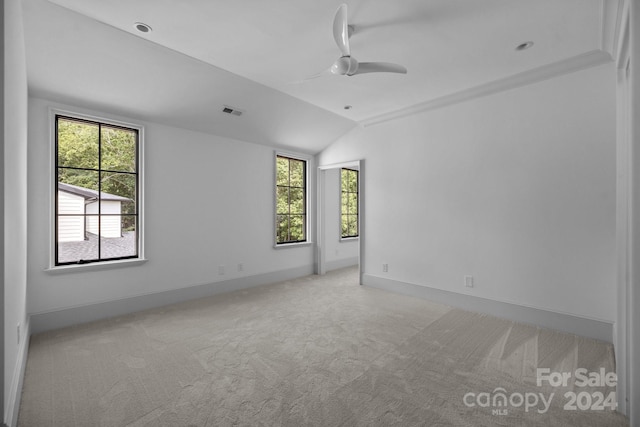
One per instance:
(253, 54)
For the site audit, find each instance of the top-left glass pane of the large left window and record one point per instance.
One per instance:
(77, 144)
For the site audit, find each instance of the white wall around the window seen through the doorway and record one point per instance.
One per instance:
(339, 253)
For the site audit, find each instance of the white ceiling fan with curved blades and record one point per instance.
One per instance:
(347, 65)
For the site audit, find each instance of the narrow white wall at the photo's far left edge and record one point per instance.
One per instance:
(15, 204)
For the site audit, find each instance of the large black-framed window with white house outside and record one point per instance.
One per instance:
(96, 191)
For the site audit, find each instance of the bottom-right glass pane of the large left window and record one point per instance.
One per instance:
(116, 241)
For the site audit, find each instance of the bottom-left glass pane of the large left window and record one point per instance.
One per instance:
(74, 244)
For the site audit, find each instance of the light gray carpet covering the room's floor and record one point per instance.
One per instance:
(318, 351)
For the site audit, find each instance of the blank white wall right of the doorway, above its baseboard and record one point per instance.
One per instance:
(516, 189)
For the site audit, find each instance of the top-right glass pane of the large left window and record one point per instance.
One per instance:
(118, 149)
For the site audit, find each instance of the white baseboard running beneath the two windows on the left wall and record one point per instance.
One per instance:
(45, 321)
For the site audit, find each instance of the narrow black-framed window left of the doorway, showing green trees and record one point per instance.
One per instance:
(291, 200)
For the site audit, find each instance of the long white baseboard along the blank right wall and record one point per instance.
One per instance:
(583, 326)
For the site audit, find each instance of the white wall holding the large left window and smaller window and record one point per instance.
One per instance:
(209, 201)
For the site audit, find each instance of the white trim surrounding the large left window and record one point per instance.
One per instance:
(107, 263)
